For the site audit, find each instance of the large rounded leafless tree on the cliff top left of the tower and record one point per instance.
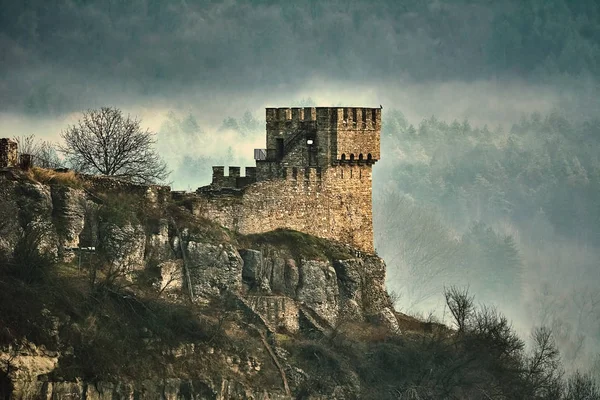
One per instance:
(106, 142)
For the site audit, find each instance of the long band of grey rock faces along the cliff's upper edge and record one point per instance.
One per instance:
(351, 288)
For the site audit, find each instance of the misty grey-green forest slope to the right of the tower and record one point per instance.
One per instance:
(513, 214)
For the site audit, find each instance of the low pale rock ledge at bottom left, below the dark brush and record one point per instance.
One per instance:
(29, 370)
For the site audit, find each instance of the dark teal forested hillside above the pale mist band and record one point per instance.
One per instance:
(62, 54)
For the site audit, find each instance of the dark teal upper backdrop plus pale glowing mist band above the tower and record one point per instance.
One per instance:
(214, 59)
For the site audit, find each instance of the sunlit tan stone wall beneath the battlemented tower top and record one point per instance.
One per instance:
(334, 203)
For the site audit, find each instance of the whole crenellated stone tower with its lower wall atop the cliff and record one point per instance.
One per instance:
(314, 176)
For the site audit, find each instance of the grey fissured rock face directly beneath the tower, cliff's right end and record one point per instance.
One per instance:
(352, 288)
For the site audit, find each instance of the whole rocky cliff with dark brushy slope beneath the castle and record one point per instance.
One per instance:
(112, 290)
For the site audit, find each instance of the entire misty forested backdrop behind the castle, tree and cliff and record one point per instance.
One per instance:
(490, 169)
